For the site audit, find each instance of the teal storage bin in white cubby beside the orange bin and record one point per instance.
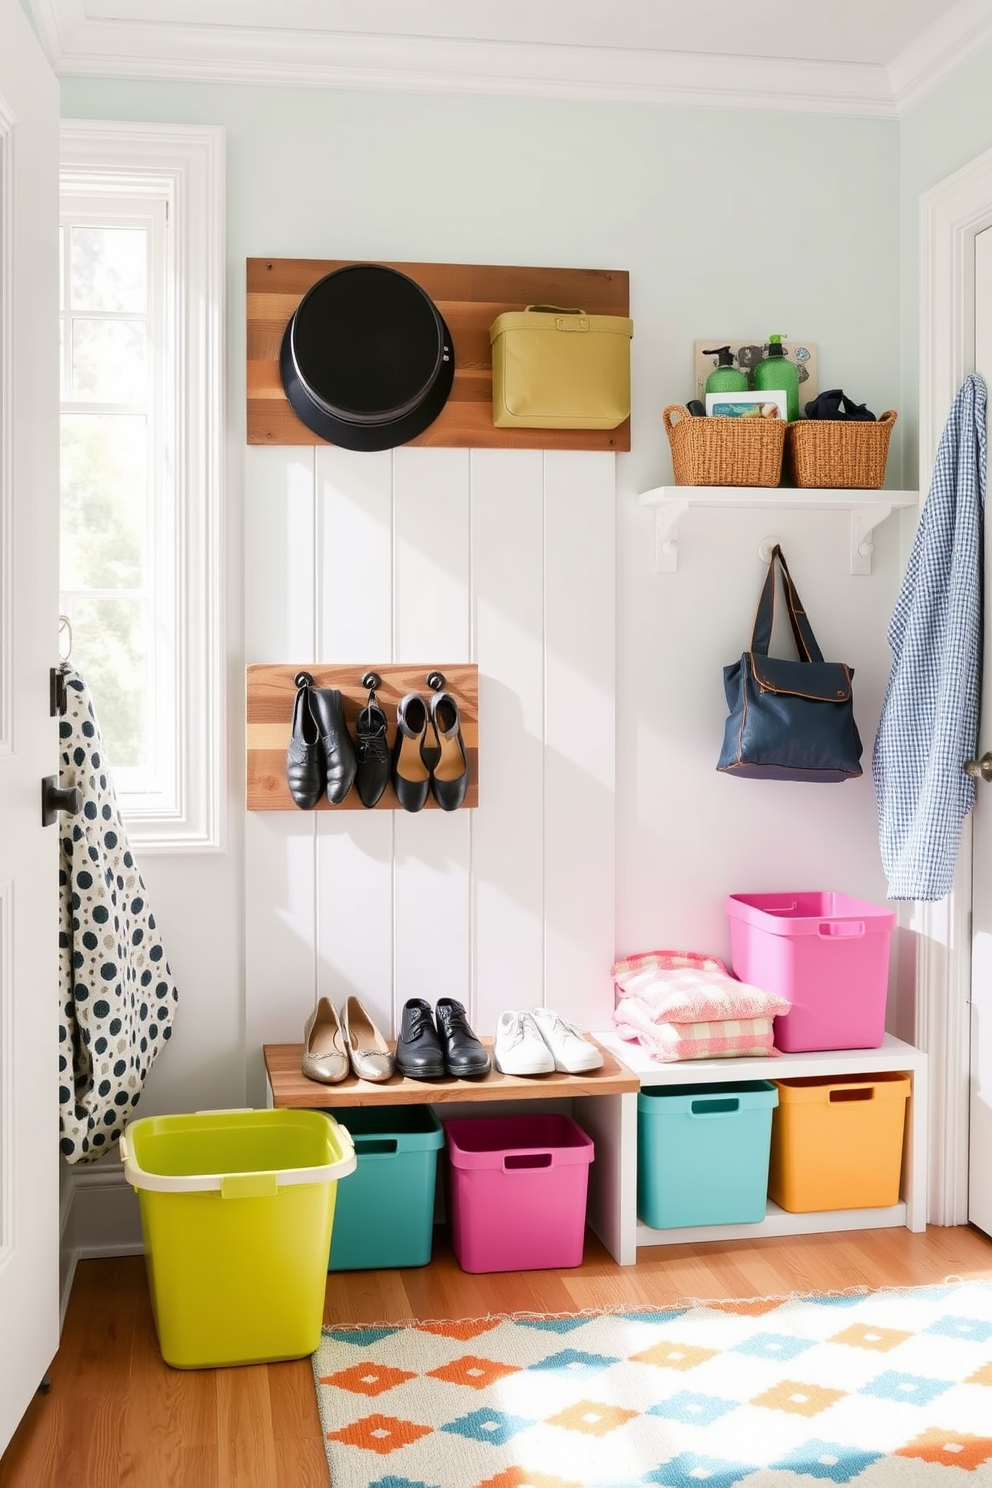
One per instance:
(703, 1154)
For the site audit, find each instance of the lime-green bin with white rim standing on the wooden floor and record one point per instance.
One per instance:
(237, 1213)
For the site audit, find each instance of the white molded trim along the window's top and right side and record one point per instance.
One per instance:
(109, 160)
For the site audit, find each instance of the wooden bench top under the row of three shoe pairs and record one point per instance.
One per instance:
(292, 1088)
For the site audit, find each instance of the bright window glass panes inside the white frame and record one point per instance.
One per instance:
(118, 492)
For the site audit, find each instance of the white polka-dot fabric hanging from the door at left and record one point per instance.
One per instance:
(117, 989)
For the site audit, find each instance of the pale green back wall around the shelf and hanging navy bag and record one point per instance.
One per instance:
(729, 224)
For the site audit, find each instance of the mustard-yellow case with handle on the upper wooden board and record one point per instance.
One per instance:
(555, 368)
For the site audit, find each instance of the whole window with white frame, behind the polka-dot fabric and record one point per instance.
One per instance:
(142, 282)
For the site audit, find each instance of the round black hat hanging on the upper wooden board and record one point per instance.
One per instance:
(367, 359)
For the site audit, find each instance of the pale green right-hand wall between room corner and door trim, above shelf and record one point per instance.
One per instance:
(944, 133)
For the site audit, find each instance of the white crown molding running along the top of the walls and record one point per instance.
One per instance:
(84, 47)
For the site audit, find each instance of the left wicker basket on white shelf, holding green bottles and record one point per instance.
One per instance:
(725, 452)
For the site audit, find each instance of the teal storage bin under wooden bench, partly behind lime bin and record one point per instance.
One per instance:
(389, 1216)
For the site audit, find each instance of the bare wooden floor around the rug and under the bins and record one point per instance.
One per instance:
(118, 1417)
